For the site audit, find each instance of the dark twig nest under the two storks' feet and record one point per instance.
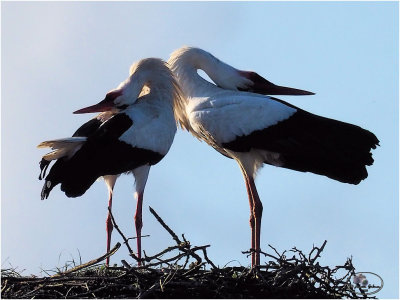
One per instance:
(185, 271)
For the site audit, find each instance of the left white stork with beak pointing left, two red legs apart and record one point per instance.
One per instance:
(134, 132)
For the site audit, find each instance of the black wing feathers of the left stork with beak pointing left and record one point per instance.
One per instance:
(102, 154)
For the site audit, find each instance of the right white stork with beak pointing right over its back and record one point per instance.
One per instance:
(253, 129)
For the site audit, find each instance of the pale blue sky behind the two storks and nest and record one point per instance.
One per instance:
(59, 57)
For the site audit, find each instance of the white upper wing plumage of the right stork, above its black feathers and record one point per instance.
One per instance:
(227, 115)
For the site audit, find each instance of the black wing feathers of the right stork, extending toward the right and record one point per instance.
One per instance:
(310, 143)
